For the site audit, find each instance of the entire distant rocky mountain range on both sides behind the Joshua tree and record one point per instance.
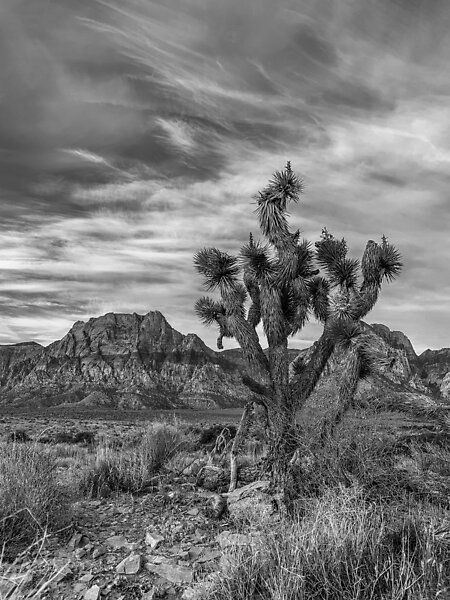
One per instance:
(131, 361)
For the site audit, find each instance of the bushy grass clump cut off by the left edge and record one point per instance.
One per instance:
(30, 499)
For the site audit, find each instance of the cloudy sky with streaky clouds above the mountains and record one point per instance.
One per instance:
(134, 133)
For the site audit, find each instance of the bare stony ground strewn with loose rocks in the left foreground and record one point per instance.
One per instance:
(160, 545)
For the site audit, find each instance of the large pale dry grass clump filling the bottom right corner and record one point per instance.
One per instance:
(340, 547)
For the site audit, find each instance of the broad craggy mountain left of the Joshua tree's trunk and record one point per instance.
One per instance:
(124, 361)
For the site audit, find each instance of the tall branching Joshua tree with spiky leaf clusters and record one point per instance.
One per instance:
(283, 285)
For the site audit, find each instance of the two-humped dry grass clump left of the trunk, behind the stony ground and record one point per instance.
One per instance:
(131, 470)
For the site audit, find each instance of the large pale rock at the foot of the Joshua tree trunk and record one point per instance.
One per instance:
(251, 501)
